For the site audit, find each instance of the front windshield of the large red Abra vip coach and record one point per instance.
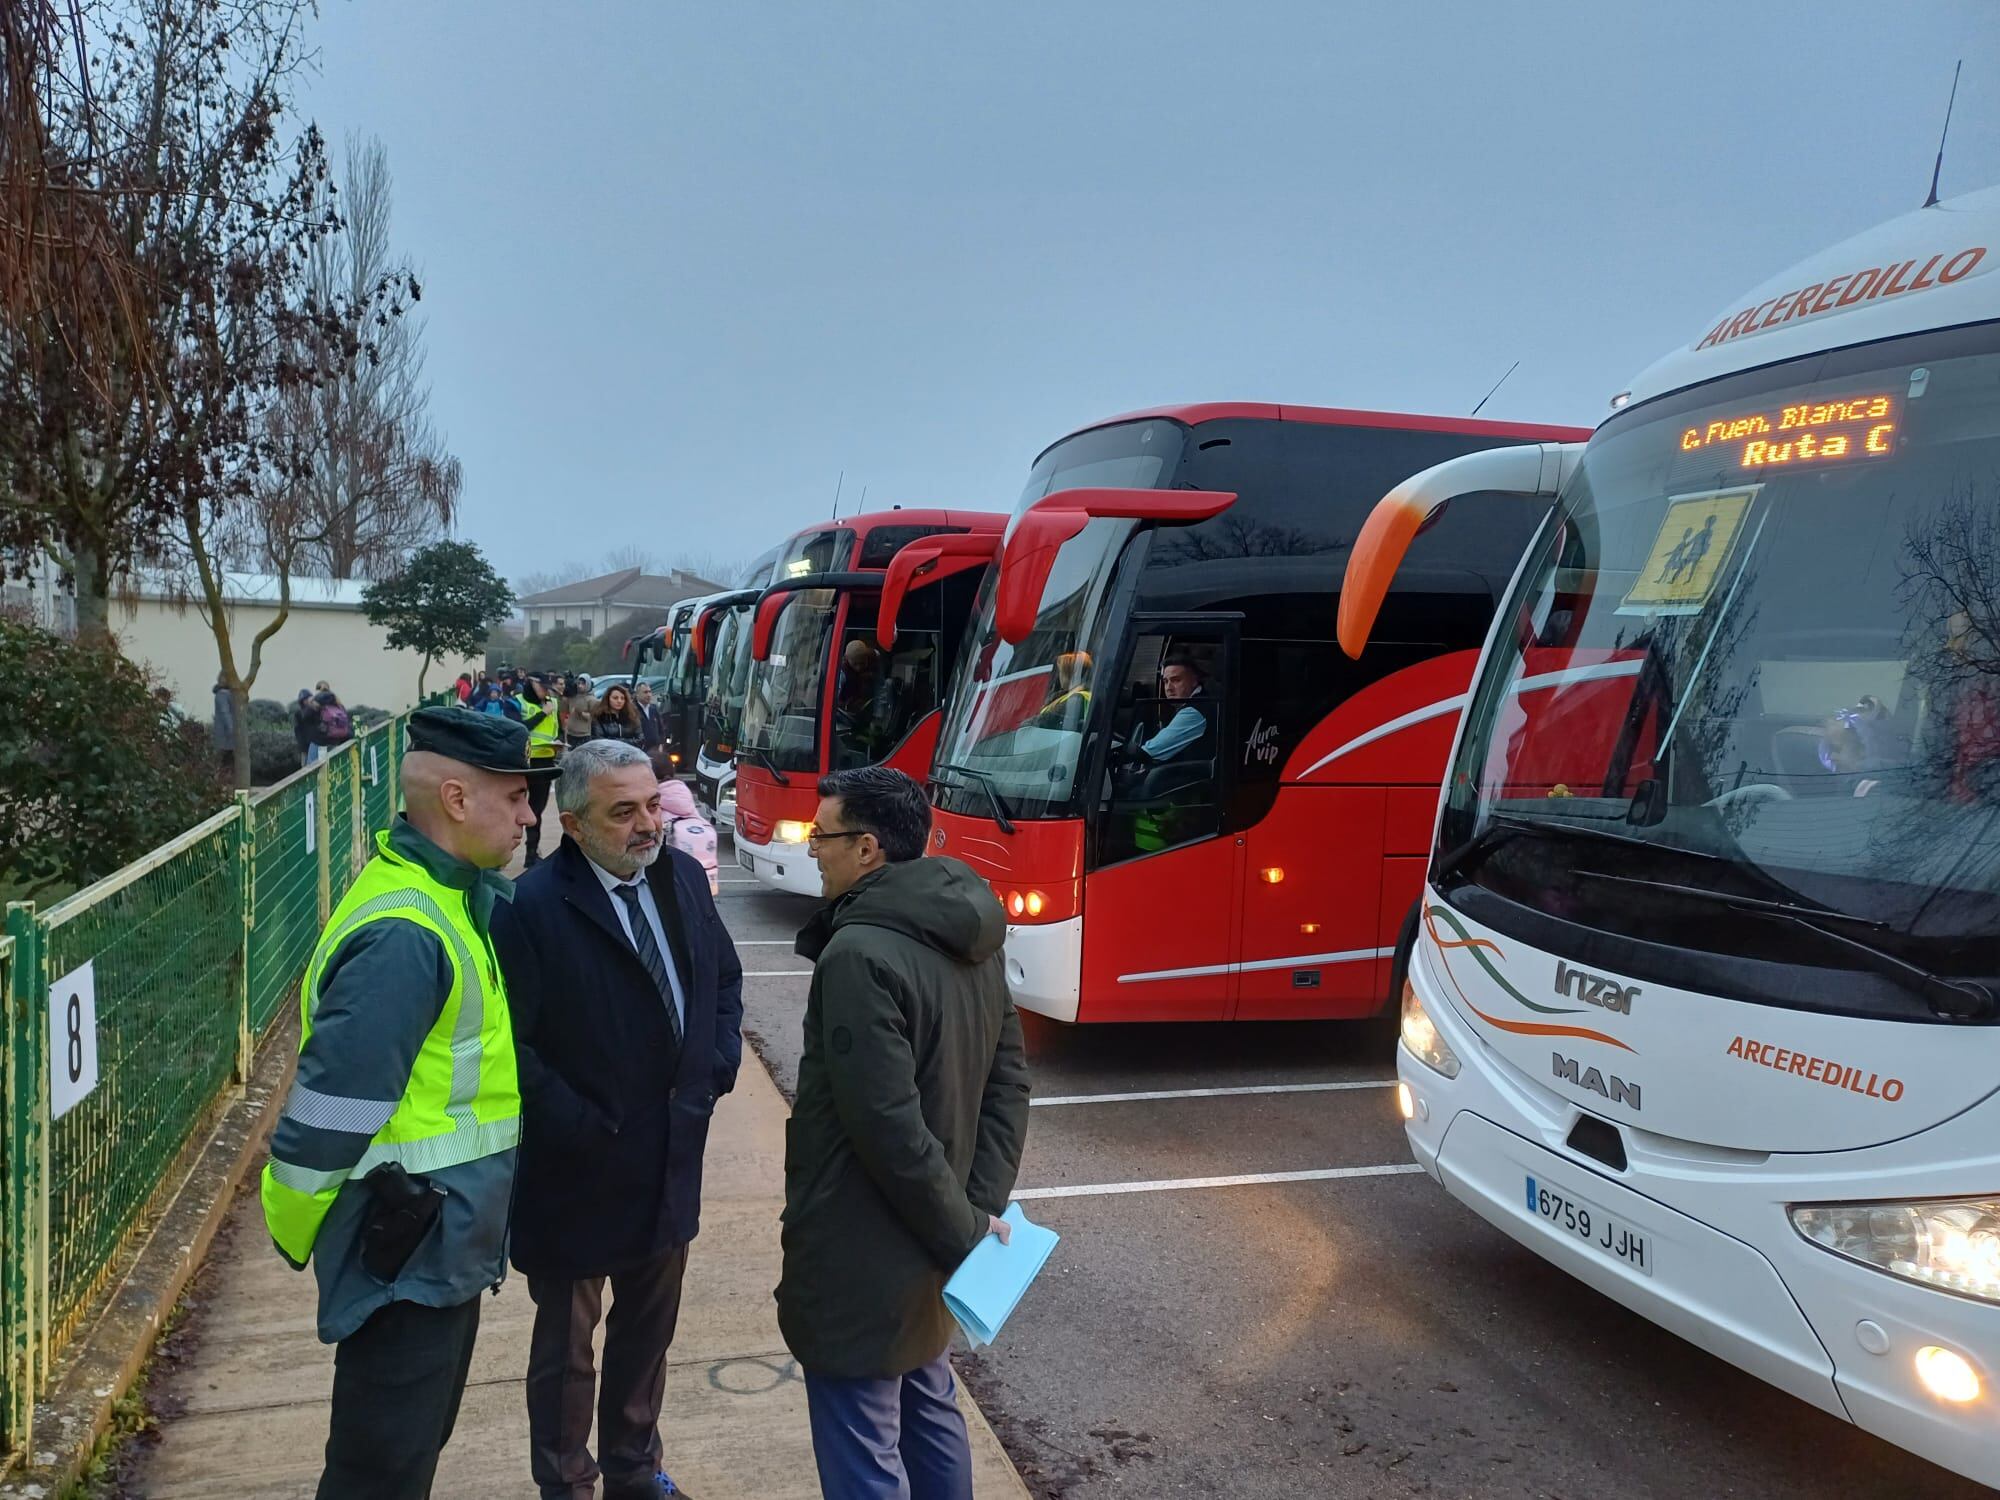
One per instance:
(1019, 713)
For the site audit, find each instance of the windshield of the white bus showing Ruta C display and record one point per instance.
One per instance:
(1747, 691)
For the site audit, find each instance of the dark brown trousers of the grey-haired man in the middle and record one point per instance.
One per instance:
(563, 1383)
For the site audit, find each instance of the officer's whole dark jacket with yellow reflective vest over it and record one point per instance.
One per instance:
(407, 1055)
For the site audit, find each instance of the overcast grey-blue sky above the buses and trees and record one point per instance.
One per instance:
(687, 263)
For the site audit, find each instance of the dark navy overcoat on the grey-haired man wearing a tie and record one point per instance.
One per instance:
(613, 1117)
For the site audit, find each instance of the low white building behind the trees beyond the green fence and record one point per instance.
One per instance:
(325, 637)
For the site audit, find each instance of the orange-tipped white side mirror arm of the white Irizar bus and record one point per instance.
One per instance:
(1537, 471)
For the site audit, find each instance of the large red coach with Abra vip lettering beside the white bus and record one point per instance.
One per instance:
(1189, 801)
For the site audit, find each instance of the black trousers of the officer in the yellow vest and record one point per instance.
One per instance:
(397, 1387)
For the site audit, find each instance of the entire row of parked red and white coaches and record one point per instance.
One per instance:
(1653, 773)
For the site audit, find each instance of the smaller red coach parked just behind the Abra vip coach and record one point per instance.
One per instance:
(829, 689)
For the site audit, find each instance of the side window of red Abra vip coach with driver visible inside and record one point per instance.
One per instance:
(1167, 767)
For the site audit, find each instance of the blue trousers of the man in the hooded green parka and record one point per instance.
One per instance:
(891, 1439)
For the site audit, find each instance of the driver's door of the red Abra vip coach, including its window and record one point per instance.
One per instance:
(1161, 911)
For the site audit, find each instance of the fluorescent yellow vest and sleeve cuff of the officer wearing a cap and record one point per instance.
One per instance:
(463, 1099)
